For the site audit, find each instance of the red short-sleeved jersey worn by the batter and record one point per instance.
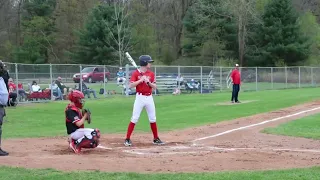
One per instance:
(143, 87)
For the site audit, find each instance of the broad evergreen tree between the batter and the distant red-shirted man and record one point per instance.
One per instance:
(209, 32)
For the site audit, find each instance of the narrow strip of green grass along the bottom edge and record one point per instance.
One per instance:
(7, 173)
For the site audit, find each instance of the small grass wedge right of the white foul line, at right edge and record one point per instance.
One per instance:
(307, 127)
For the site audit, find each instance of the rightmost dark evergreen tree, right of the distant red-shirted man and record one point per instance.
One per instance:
(279, 39)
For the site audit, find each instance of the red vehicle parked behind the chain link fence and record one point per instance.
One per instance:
(92, 74)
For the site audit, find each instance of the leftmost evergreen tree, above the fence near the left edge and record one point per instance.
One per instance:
(38, 32)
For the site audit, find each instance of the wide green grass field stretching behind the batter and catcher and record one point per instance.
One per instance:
(111, 115)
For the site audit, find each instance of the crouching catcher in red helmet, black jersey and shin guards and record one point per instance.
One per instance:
(80, 137)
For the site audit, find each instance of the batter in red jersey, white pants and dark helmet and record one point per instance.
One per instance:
(144, 81)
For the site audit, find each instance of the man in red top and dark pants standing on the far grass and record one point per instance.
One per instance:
(236, 80)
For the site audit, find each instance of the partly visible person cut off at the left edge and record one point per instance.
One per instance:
(4, 97)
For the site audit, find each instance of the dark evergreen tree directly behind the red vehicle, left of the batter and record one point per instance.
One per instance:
(94, 45)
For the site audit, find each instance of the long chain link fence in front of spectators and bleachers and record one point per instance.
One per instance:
(102, 81)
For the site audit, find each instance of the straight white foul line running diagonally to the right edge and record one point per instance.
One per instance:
(252, 125)
